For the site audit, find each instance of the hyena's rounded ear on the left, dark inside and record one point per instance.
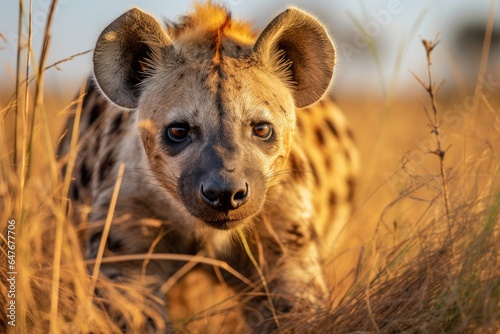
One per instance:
(125, 51)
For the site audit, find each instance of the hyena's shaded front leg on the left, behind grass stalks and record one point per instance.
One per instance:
(132, 294)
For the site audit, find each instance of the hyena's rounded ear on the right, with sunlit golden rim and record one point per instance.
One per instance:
(300, 50)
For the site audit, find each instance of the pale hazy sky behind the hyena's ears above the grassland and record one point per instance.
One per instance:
(395, 27)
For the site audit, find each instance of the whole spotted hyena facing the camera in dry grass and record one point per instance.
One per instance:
(225, 134)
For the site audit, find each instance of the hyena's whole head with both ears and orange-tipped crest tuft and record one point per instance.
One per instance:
(215, 103)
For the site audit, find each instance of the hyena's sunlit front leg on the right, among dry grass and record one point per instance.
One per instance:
(290, 266)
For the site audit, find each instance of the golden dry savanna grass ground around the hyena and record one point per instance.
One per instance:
(420, 255)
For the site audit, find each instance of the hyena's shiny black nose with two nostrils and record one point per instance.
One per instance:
(223, 197)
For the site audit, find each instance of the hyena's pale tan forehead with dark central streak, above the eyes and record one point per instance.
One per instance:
(232, 89)
